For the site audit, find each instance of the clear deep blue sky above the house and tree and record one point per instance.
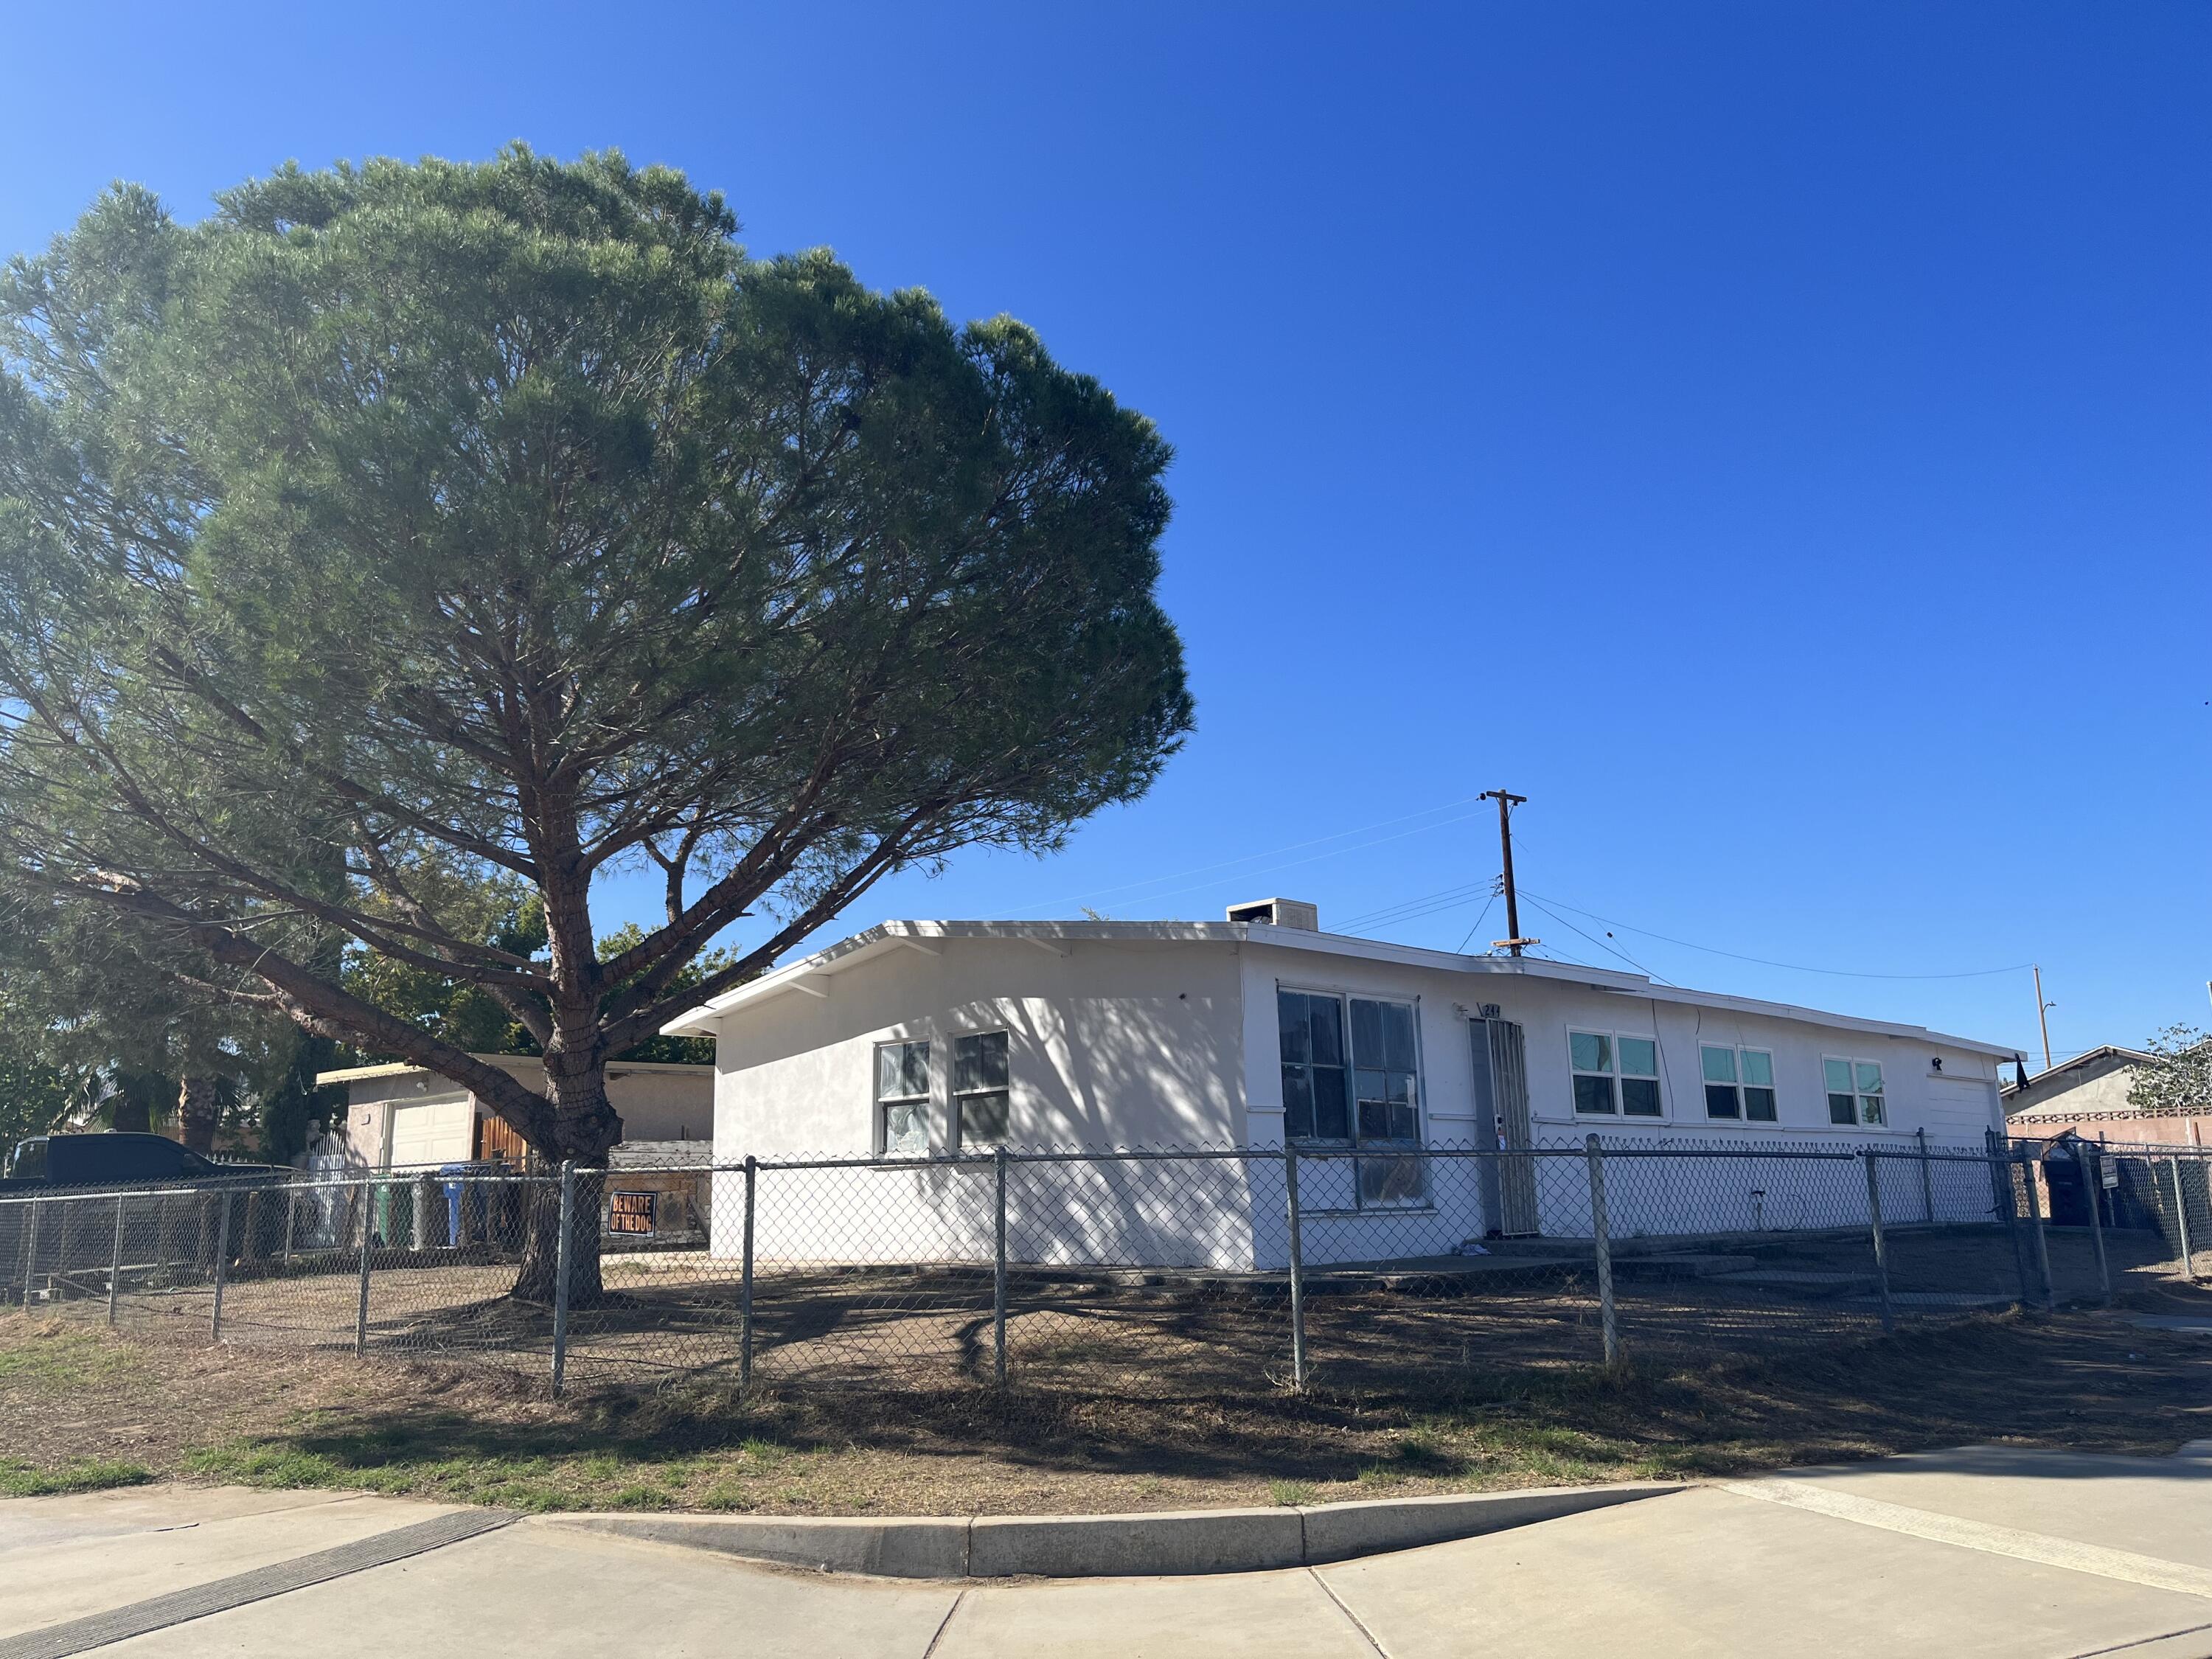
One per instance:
(1773, 439)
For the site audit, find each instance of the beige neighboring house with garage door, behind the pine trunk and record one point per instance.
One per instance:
(406, 1116)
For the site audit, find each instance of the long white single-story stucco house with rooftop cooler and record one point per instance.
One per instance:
(932, 1039)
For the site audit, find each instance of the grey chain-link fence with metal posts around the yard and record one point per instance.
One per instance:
(1138, 1273)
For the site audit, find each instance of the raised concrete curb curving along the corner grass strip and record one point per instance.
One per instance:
(1078, 1547)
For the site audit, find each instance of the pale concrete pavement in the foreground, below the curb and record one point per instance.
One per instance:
(1976, 1552)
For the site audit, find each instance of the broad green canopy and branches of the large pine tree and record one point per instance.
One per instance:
(404, 547)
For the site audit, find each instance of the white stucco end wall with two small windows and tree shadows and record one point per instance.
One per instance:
(1109, 1045)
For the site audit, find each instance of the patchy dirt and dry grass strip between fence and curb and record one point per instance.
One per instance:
(74, 1397)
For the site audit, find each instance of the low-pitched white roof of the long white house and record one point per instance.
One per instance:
(919, 937)
